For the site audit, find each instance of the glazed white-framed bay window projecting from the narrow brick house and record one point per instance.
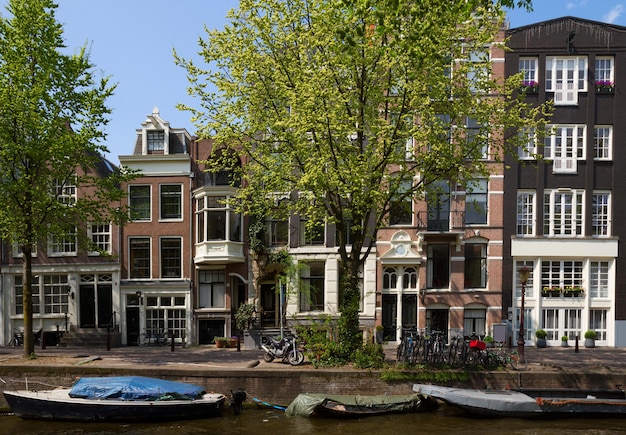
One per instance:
(216, 220)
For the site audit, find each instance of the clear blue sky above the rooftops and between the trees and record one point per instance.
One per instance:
(131, 41)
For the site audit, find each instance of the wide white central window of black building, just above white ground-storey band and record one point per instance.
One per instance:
(563, 213)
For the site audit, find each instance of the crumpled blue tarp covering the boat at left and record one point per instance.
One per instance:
(134, 388)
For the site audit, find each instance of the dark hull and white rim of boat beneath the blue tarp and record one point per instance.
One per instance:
(58, 405)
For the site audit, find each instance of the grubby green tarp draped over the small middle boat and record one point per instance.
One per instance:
(304, 404)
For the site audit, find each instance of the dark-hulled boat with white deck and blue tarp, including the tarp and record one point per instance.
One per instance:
(117, 399)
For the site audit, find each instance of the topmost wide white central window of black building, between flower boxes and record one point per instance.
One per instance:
(566, 77)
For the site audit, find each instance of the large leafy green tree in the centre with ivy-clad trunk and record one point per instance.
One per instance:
(321, 97)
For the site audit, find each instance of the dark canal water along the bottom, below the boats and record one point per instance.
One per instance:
(261, 421)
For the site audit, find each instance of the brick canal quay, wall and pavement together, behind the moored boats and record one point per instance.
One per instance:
(229, 369)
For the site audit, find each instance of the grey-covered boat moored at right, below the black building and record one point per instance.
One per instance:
(530, 403)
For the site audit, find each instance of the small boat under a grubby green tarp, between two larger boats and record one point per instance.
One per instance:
(346, 406)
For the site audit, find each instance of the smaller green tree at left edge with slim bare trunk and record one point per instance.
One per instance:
(52, 109)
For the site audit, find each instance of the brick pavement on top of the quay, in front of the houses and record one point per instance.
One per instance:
(208, 356)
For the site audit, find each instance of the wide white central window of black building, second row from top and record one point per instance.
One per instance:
(565, 146)
